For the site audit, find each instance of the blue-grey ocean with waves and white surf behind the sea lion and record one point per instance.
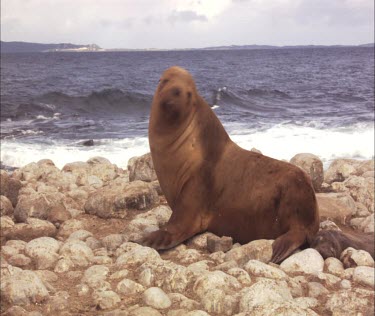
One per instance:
(280, 101)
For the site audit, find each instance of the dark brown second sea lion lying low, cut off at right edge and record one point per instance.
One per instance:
(331, 243)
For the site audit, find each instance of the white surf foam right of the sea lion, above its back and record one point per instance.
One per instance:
(285, 141)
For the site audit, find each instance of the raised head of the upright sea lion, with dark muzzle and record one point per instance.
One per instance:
(174, 100)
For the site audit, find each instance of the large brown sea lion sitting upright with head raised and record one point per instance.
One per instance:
(211, 184)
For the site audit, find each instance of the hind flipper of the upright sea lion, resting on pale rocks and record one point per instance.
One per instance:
(284, 245)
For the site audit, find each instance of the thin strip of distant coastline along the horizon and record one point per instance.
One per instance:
(26, 47)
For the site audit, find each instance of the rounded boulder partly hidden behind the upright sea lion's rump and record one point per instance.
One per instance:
(312, 165)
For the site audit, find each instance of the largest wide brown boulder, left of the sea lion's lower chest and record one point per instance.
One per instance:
(115, 200)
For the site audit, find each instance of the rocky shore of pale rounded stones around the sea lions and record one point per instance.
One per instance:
(66, 248)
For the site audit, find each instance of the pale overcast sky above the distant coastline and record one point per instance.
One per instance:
(188, 23)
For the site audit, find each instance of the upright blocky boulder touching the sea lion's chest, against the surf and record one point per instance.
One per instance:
(142, 168)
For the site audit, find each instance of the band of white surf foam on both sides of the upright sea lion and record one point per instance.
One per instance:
(281, 142)
